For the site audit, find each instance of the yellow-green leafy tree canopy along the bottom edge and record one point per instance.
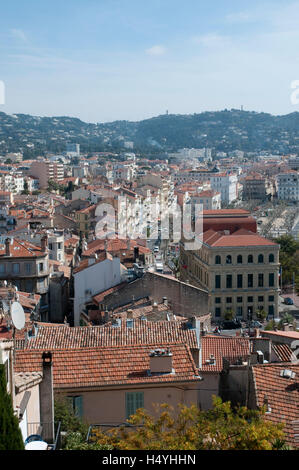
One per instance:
(220, 428)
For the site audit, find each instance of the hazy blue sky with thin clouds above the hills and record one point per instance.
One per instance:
(102, 60)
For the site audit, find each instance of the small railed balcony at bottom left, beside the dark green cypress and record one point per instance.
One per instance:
(46, 432)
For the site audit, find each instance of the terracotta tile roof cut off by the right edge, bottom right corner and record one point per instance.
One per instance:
(282, 395)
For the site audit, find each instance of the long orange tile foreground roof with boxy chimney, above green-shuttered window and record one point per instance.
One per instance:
(99, 367)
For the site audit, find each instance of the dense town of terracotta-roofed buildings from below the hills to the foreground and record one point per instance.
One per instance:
(80, 247)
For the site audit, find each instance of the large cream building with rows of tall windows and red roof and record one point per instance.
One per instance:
(239, 270)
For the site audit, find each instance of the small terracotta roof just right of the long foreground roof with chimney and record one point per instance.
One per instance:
(220, 347)
